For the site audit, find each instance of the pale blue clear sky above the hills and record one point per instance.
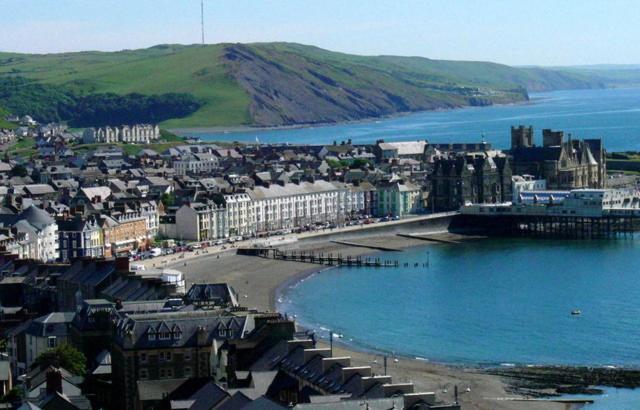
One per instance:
(515, 32)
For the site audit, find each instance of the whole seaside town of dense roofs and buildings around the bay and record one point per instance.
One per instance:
(91, 320)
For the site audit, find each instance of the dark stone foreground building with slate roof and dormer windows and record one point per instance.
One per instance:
(175, 345)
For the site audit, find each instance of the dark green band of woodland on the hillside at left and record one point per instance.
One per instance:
(54, 103)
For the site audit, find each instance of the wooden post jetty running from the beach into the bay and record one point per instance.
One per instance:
(319, 258)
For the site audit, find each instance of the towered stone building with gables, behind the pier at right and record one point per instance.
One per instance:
(563, 164)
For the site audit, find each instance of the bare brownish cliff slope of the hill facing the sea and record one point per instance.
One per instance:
(292, 88)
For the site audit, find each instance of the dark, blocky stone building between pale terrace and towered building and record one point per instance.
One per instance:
(476, 177)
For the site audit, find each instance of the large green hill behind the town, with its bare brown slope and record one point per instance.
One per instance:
(268, 84)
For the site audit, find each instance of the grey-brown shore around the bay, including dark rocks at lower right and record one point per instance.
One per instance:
(260, 281)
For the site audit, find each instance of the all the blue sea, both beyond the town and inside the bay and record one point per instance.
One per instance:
(491, 302)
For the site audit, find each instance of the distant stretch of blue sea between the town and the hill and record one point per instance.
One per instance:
(613, 114)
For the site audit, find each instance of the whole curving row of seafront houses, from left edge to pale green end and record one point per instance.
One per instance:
(36, 234)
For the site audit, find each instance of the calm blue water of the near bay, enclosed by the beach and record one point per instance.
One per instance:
(487, 302)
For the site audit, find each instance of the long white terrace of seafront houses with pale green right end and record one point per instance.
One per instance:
(288, 206)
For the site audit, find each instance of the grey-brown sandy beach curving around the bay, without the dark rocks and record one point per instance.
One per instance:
(258, 281)
